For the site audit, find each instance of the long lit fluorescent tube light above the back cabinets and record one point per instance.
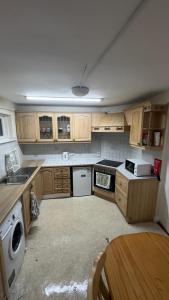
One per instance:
(63, 99)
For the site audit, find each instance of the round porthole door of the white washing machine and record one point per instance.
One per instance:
(16, 239)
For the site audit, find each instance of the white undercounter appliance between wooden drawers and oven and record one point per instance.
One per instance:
(82, 179)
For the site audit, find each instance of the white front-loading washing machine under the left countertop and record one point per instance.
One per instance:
(13, 245)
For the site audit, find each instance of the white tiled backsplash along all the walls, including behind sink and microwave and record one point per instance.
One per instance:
(108, 146)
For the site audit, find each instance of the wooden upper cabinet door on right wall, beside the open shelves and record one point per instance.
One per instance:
(136, 126)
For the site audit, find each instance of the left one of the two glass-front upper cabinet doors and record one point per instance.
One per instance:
(45, 127)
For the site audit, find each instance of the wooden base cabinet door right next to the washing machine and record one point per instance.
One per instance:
(26, 205)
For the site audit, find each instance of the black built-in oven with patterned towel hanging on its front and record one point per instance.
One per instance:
(104, 178)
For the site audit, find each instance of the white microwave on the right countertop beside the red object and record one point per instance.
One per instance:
(138, 167)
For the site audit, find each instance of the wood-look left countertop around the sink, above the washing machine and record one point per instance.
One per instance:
(9, 194)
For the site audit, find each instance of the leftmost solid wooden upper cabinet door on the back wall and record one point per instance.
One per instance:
(26, 127)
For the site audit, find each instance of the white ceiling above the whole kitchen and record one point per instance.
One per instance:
(45, 44)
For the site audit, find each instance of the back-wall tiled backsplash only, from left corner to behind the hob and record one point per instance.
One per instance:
(110, 146)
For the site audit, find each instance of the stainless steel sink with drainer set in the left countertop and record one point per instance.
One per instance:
(19, 177)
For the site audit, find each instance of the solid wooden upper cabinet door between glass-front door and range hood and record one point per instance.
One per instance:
(82, 127)
